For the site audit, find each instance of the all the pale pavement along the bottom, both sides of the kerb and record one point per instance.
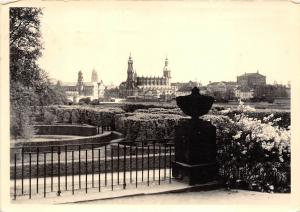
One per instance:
(154, 193)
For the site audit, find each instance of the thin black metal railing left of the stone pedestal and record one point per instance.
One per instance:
(69, 168)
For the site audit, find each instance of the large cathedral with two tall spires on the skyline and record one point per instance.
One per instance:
(147, 87)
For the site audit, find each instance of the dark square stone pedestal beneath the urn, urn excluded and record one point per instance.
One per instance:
(195, 152)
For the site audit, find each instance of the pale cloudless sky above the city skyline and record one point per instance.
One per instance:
(203, 41)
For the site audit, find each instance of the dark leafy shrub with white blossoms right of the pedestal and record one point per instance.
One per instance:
(253, 154)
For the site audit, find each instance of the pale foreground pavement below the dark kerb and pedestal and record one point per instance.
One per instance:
(213, 197)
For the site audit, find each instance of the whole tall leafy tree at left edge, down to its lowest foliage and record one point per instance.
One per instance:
(29, 85)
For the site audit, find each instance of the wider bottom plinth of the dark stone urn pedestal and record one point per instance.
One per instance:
(194, 174)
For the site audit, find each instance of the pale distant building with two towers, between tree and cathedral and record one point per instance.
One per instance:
(81, 89)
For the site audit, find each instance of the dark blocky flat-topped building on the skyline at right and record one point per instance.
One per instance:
(251, 80)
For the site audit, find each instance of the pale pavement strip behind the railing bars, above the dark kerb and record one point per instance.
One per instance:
(135, 183)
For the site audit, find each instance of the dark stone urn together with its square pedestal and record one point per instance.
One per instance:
(195, 141)
